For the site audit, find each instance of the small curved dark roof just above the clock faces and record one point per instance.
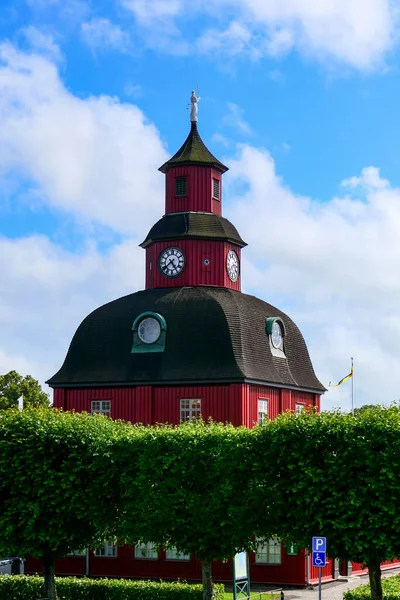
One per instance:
(193, 225)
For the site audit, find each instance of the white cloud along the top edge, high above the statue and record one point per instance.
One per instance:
(356, 33)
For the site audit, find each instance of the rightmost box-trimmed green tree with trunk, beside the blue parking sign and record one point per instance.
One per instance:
(336, 475)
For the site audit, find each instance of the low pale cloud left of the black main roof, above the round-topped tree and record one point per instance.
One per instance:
(46, 292)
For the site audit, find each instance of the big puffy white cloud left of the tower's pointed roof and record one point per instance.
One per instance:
(94, 158)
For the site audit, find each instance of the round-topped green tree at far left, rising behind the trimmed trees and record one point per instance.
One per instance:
(13, 386)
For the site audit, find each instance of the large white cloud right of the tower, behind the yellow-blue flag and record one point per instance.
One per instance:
(331, 266)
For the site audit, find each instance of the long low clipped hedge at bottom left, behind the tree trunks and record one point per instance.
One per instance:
(30, 587)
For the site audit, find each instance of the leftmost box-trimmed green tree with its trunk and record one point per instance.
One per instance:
(58, 484)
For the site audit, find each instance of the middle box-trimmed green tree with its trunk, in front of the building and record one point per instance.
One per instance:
(189, 487)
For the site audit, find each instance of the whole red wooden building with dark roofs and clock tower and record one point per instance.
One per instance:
(191, 343)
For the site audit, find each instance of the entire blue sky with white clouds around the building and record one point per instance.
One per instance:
(300, 100)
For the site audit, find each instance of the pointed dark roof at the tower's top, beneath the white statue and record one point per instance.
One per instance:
(193, 152)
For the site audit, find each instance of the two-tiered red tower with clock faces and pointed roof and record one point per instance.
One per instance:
(193, 244)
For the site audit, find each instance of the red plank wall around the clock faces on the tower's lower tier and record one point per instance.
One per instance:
(195, 272)
